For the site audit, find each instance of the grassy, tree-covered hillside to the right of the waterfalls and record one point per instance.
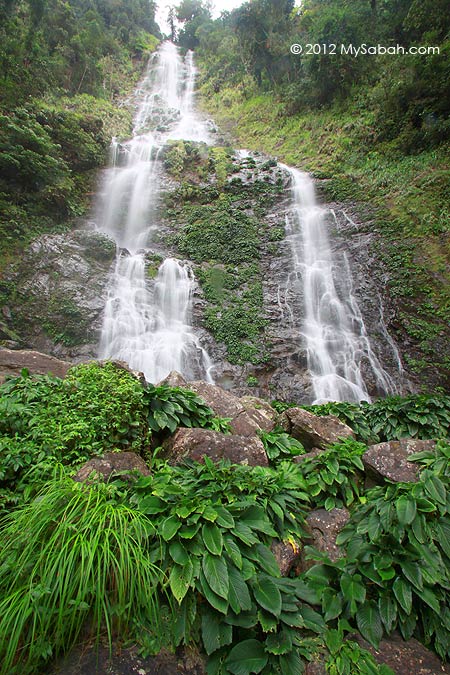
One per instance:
(373, 129)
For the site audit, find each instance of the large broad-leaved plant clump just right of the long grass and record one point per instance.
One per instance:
(215, 524)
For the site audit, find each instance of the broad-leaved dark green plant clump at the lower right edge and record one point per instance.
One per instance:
(396, 571)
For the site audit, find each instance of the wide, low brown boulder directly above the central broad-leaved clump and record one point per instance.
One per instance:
(195, 444)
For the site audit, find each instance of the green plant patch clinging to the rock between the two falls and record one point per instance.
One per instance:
(221, 228)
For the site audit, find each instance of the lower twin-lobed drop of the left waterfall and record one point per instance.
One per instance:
(150, 329)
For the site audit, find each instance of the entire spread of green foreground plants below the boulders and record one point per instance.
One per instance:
(183, 556)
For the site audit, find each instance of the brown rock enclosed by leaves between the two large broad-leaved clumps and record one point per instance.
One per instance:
(324, 526)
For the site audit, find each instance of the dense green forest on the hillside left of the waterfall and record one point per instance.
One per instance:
(63, 67)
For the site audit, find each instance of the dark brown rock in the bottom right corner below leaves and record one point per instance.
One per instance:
(405, 658)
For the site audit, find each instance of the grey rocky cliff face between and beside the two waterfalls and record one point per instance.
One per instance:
(225, 213)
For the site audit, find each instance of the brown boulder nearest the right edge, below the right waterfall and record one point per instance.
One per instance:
(390, 460)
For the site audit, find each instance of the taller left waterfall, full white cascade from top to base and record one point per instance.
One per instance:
(149, 326)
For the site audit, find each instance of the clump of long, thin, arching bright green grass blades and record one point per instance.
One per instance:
(75, 557)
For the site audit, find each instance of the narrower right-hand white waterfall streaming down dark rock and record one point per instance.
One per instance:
(338, 349)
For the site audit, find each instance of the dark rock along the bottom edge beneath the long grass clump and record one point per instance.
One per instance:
(126, 661)
